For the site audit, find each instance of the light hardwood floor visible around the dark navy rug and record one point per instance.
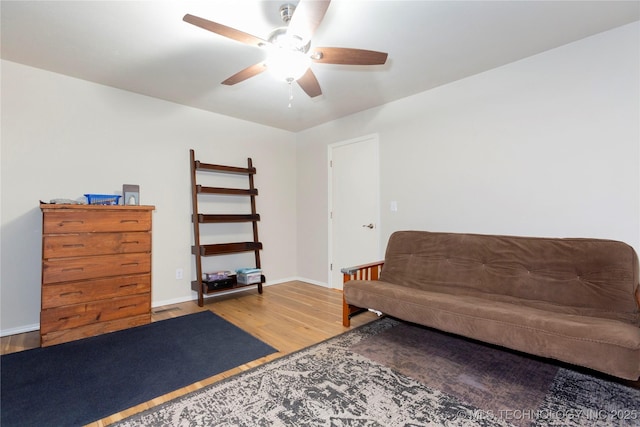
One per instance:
(288, 316)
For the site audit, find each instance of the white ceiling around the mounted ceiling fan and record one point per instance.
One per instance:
(145, 47)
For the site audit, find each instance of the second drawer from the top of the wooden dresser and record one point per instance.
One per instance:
(71, 245)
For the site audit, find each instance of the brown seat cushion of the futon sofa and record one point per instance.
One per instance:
(603, 344)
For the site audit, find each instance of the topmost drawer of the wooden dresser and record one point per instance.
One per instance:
(95, 221)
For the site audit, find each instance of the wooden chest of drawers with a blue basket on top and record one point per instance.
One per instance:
(96, 270)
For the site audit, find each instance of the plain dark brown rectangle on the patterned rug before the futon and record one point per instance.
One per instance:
(472, 372)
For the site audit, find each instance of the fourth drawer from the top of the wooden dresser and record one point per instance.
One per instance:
(55, 295)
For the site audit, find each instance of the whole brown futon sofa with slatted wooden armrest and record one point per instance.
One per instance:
(574, 300)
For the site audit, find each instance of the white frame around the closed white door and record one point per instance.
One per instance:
(377, 215)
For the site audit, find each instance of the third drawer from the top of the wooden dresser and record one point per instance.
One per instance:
(82, 268)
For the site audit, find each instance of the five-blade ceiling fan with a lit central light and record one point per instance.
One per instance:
(289, 48)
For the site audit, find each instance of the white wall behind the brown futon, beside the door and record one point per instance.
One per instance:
(546, 146)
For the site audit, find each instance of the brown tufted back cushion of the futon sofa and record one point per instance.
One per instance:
(583, 273)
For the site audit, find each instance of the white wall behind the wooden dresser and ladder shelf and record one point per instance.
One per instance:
(63, 137)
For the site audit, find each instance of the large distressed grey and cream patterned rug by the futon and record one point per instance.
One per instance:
(389, 373)
